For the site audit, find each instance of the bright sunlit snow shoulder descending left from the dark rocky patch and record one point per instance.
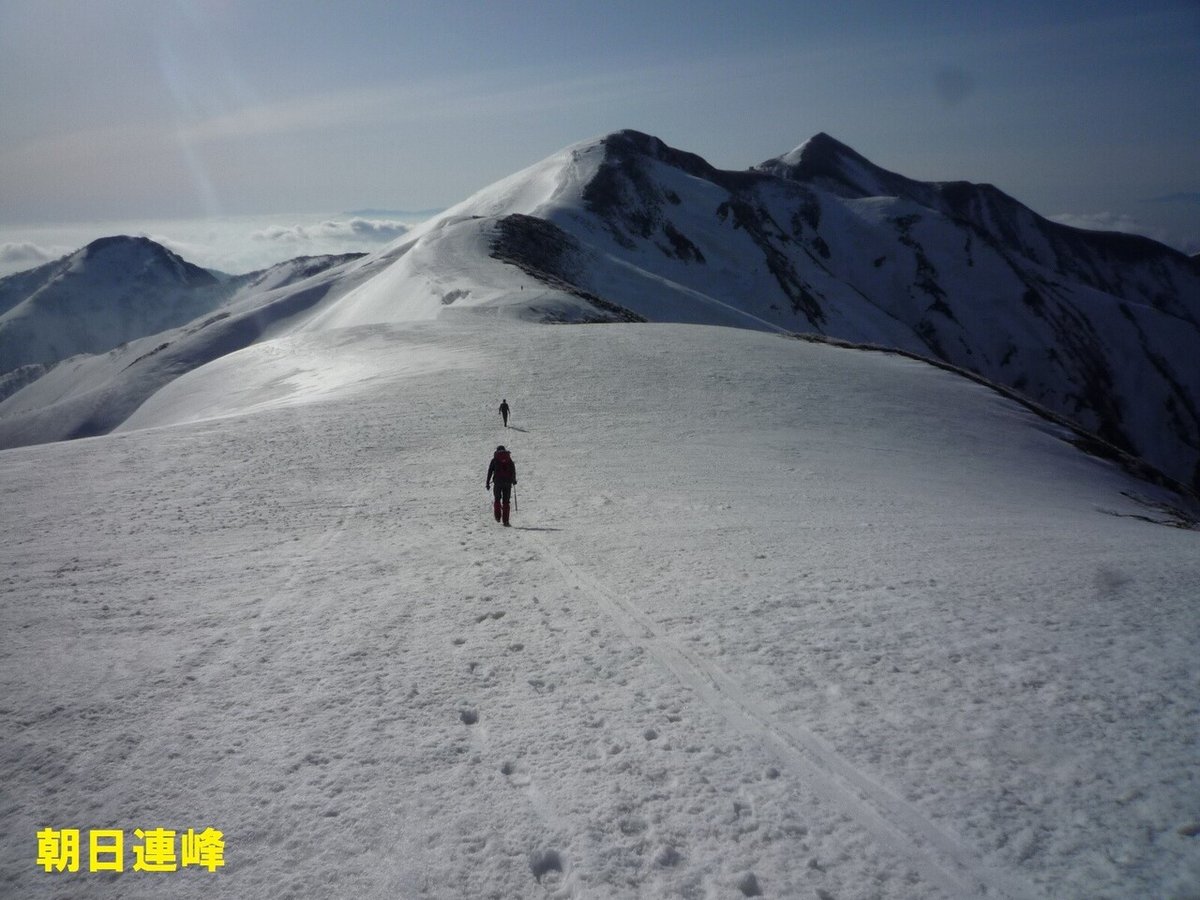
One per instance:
(445, 263)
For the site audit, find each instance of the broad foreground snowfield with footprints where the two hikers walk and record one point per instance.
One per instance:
(775, 620)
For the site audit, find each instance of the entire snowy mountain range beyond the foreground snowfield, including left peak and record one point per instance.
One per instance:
(1101, 328)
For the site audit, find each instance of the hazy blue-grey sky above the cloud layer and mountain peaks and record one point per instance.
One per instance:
(147, 110)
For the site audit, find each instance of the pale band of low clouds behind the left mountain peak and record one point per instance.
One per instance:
(233, 245)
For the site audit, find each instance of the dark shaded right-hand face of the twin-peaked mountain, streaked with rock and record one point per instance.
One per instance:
(1103, 328)
